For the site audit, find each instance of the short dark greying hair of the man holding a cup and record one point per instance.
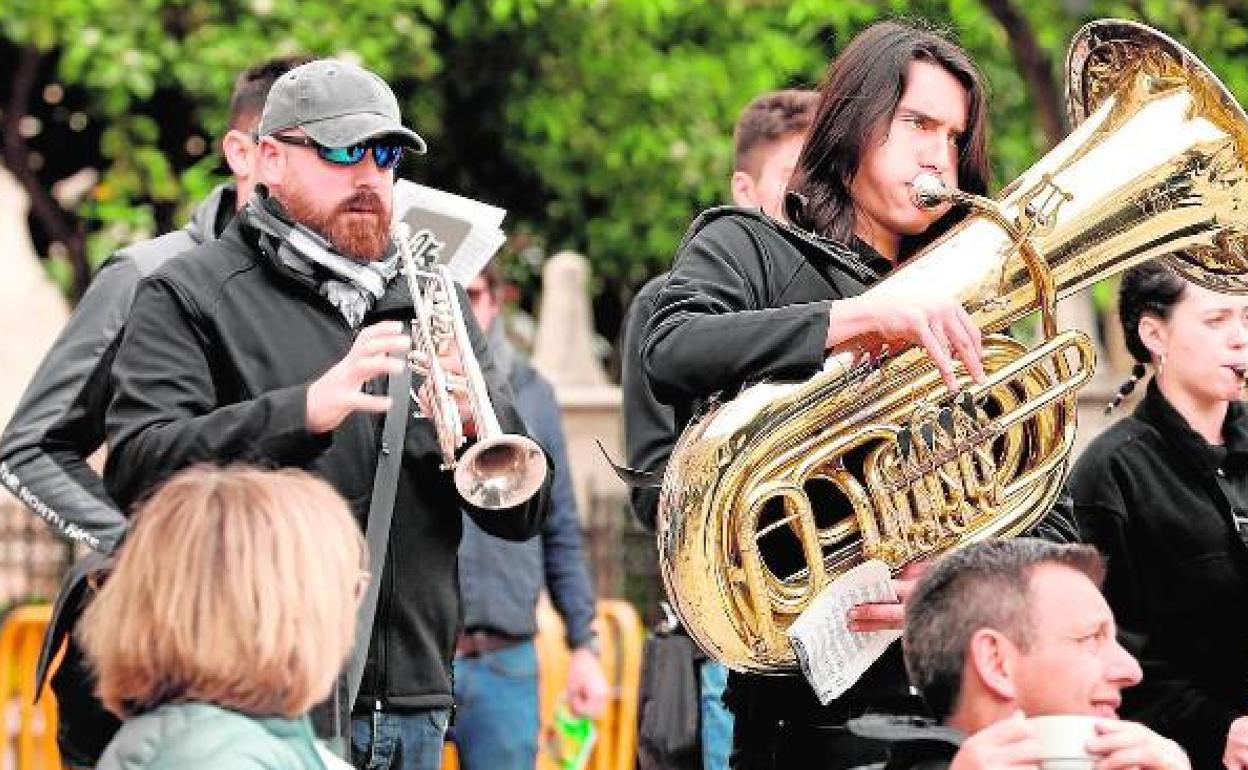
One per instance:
(982, 586)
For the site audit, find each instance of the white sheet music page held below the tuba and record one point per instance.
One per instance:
(832, 656)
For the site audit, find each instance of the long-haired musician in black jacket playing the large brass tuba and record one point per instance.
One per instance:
(753, 299)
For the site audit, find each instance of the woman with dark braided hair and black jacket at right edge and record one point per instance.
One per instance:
(1164, 494)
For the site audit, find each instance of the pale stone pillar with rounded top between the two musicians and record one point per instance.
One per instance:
(565, 354)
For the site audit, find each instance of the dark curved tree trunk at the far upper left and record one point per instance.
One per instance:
(61, 225)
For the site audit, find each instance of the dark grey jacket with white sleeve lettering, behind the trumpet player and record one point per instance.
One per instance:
(59, 422)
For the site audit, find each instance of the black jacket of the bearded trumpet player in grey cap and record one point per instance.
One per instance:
(215, 365)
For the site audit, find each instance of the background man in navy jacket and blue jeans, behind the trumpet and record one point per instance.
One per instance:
(496, 666)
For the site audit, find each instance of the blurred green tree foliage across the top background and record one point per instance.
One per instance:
(602, 125)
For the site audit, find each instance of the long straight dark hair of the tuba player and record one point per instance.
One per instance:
(859, 97)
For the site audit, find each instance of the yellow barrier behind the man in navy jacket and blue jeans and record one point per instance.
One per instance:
(622, 636)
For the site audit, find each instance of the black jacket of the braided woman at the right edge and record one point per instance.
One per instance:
(1158, 500)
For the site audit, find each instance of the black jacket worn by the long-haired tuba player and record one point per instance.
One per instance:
(748, 301)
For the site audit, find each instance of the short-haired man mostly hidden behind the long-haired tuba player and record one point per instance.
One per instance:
(767, 142)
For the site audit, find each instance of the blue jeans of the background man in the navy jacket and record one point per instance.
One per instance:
(497, 709)
